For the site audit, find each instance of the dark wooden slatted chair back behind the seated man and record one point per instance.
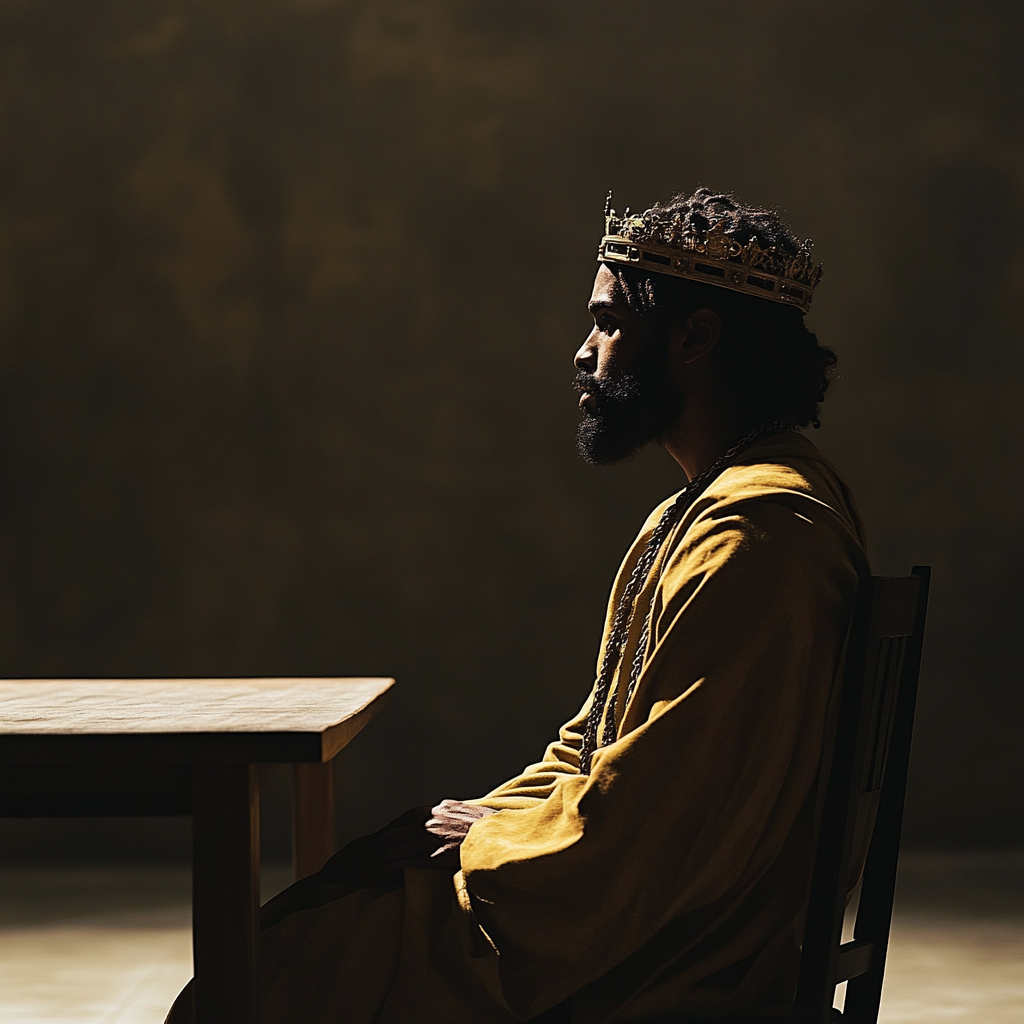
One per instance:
(867, 785)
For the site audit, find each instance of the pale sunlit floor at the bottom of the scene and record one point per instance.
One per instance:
(112, 946)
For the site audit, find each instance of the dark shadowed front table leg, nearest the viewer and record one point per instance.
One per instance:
(226, 893)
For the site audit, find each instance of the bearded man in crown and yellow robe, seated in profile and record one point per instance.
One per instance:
(655, 865)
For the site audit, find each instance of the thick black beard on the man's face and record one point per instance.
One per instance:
(633, 409)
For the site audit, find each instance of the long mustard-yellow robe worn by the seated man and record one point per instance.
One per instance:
(672, 880)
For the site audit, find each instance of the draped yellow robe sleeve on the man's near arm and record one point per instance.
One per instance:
(717, 755)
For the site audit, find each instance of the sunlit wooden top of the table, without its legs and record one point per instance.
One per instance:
(301, 719)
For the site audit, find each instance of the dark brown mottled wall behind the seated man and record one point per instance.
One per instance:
(290, 293)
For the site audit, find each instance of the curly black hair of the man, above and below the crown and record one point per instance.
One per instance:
(771, 366)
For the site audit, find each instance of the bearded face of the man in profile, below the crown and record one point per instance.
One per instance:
(628, 398)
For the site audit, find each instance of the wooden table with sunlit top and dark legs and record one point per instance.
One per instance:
(144, 747)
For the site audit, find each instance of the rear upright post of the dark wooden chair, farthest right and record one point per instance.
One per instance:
(864, 994)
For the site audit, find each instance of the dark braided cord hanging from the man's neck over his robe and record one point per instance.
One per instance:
(619, 634)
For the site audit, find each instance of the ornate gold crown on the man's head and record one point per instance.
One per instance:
(712, 258)
